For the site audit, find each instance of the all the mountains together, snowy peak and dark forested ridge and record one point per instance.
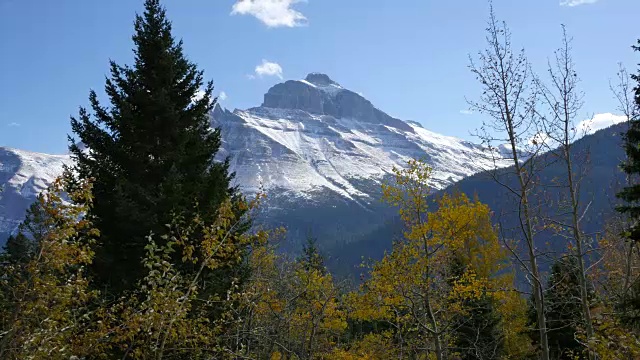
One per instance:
(320, 152)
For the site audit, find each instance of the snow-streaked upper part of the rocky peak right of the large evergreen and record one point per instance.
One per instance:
(313, 135)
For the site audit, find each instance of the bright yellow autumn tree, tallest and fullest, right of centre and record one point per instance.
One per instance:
(414, 287)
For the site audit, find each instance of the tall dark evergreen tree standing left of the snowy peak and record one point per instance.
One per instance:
(151, 153)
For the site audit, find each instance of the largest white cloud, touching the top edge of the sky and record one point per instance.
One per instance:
(273, 13)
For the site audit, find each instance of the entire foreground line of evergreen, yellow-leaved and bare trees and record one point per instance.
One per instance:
(144, 250)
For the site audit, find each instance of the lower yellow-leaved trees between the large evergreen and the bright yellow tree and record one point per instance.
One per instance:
(290, 311)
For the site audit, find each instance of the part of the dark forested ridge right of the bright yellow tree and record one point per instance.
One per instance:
(600, 178)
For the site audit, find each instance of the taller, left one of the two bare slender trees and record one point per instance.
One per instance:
(504, 77)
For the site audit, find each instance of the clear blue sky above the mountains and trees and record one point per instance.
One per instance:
(409, 57)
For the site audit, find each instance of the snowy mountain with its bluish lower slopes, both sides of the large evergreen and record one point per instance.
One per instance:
(318, 150)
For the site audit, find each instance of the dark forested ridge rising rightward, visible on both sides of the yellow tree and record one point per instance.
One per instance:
(601, 179)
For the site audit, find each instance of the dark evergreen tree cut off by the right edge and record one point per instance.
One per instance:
(631, 166)
